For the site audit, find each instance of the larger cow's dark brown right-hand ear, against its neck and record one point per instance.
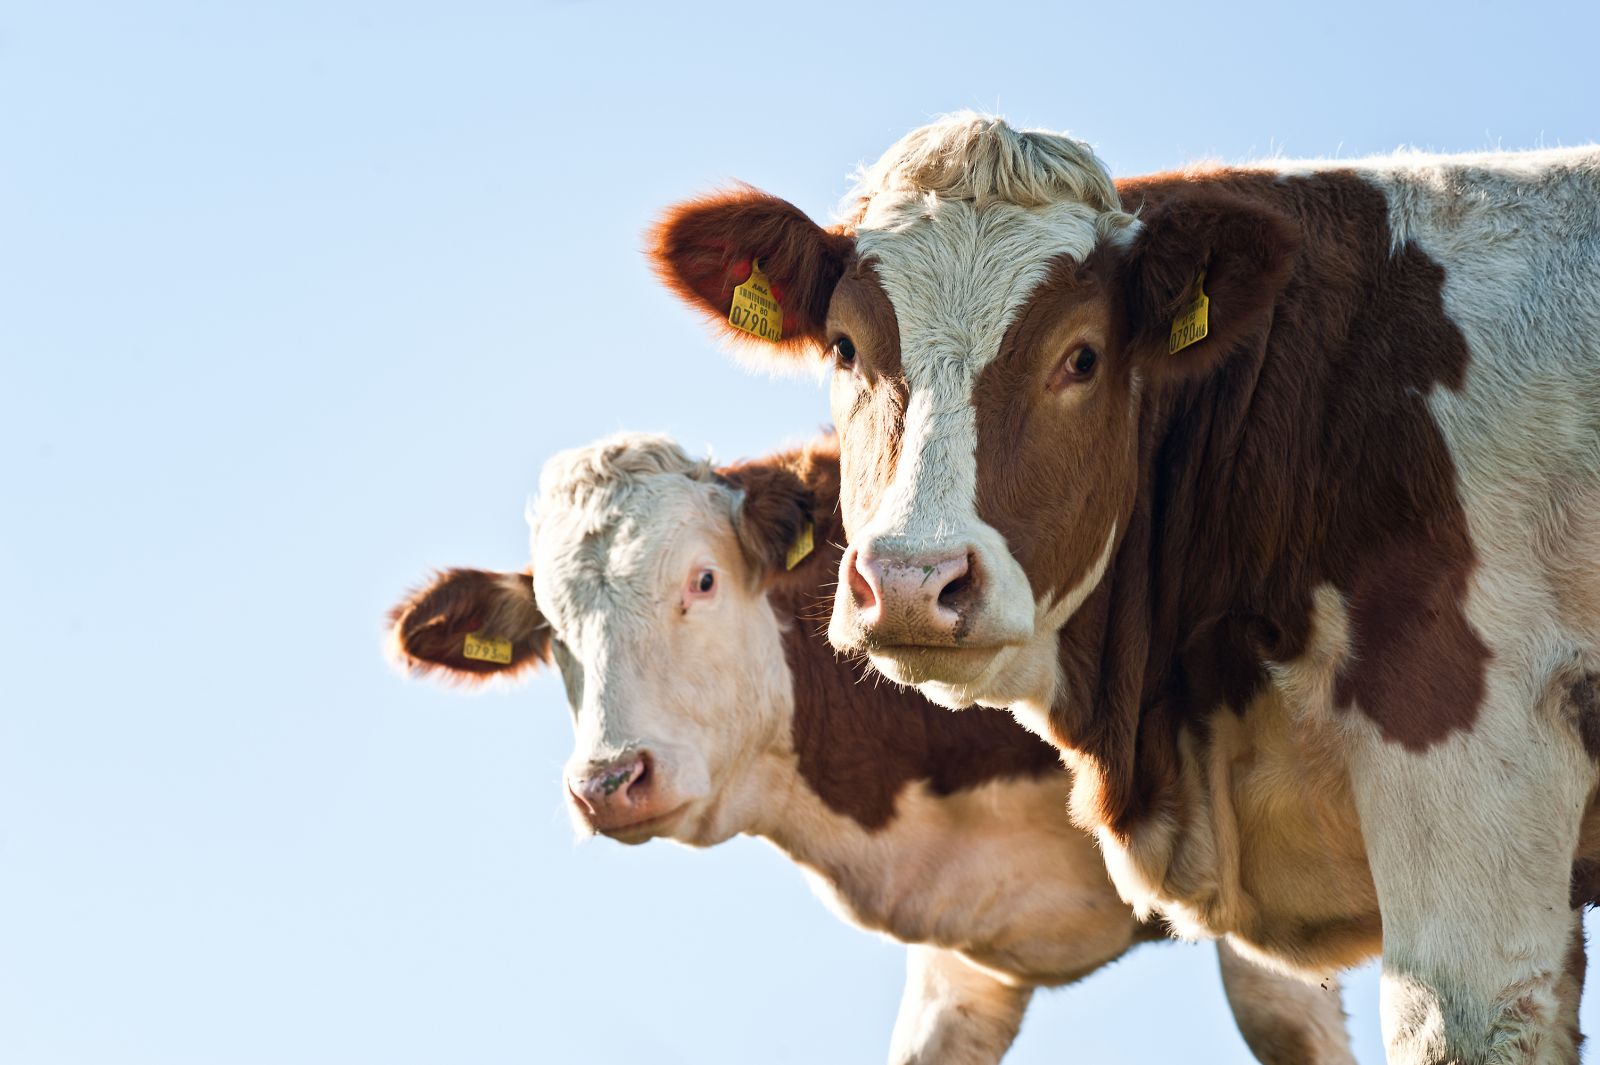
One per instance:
(1204, 276)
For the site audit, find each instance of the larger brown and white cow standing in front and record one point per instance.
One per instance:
(1271, 497)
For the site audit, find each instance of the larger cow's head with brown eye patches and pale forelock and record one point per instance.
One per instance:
(998, 324)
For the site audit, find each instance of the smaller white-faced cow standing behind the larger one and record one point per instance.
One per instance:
(706, 704)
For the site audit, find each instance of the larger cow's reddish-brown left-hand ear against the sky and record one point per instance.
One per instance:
(706, 249)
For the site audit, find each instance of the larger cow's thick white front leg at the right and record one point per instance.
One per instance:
(1471, 845)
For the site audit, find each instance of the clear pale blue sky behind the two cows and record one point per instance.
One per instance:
(297, 298)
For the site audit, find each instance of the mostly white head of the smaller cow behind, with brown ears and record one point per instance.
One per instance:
(649, 592)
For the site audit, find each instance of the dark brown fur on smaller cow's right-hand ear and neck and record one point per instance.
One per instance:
(860, 740)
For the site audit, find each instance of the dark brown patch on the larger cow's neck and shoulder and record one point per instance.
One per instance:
(1306, 460)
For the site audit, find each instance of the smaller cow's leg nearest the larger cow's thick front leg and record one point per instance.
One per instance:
(1286, 1021)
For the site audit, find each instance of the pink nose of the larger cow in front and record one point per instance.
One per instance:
(919, 592)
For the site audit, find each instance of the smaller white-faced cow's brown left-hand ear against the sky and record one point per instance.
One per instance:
(430, 629)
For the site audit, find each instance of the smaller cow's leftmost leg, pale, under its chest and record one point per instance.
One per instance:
(954, 1013)
